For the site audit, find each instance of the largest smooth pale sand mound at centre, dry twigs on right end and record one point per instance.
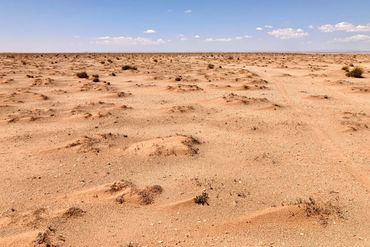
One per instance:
(165, 146)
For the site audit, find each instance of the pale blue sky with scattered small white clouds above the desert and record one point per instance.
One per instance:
(184, 26)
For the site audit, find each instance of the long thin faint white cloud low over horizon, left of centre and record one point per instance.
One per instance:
(128, 41)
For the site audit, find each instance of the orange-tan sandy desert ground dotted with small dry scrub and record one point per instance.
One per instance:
(280, 144)
